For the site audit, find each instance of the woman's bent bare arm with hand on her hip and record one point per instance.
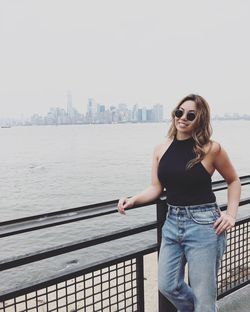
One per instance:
(224, 166)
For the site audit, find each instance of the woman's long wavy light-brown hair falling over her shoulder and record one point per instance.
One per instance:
(202, 130)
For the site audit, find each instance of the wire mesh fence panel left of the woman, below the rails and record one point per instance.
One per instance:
(110, 289)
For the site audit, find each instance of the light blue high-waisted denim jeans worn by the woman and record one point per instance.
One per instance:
(188, 236)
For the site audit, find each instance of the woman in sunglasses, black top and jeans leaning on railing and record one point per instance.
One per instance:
(195, 229)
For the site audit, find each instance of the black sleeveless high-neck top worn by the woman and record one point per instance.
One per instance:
(184, 187)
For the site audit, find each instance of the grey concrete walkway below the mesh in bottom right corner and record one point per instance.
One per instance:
(238, 301)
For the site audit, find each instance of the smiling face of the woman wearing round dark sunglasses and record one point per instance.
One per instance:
(183, 125)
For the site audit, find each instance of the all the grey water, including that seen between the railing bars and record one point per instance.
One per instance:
(50, 168)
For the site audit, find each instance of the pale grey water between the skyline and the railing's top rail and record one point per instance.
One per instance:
(51, 168)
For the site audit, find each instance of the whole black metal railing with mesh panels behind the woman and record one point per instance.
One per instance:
(115, 284)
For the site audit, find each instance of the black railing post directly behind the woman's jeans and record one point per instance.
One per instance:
(161, 210)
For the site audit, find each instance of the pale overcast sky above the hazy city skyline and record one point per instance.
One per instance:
(123, 51)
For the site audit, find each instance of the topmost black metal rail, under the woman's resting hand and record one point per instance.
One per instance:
(37, 222)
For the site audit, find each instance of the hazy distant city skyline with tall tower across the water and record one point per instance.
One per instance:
(102, 114)
